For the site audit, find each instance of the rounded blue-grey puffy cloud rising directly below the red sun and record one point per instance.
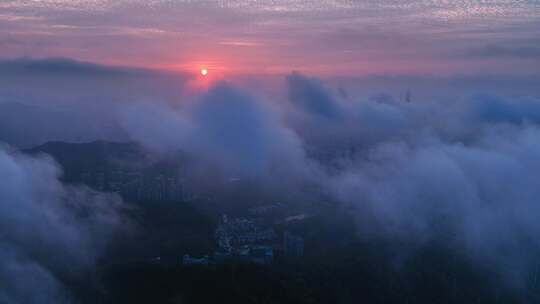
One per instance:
(224, 127)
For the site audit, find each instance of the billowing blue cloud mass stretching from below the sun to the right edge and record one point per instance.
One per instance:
(464, 171)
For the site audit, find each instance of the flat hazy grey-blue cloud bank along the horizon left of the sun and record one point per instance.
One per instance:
(66, 100)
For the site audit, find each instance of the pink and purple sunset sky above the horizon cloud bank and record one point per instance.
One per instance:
(339, 37)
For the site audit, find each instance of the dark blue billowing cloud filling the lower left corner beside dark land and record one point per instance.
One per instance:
(49, 231)
